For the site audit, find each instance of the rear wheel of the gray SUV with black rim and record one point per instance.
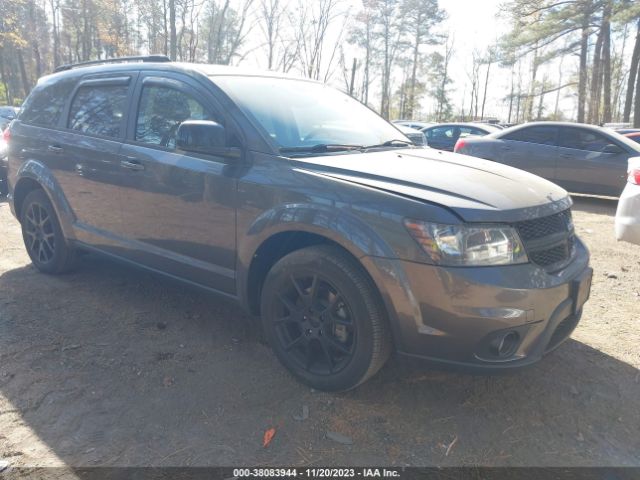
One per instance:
(42, 235)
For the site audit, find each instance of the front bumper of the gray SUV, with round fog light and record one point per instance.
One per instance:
(458, 316)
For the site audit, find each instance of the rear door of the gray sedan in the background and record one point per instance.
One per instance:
(533, 149)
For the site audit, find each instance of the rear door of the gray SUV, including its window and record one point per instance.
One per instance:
(90, 147)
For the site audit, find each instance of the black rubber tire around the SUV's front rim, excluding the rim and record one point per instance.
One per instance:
(359, 297)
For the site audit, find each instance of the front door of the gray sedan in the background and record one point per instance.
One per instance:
(591, 162)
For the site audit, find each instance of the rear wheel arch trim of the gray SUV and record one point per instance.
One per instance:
(33, 170)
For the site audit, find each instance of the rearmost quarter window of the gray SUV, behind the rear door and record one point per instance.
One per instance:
(45, 104)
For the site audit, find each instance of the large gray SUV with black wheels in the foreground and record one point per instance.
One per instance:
(343, 241)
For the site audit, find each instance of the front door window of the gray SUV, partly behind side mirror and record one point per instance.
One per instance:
(161, 111)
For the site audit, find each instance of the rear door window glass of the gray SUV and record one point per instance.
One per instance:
(99, 109)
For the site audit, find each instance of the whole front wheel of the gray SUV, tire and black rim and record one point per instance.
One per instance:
(324, 319)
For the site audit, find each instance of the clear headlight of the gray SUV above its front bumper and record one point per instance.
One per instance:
(466, 245)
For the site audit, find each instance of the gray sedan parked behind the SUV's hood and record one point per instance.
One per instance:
(580, 158)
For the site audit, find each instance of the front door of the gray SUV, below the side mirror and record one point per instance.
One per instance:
(178, 208)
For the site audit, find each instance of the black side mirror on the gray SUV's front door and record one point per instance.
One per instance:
(204, 136)
